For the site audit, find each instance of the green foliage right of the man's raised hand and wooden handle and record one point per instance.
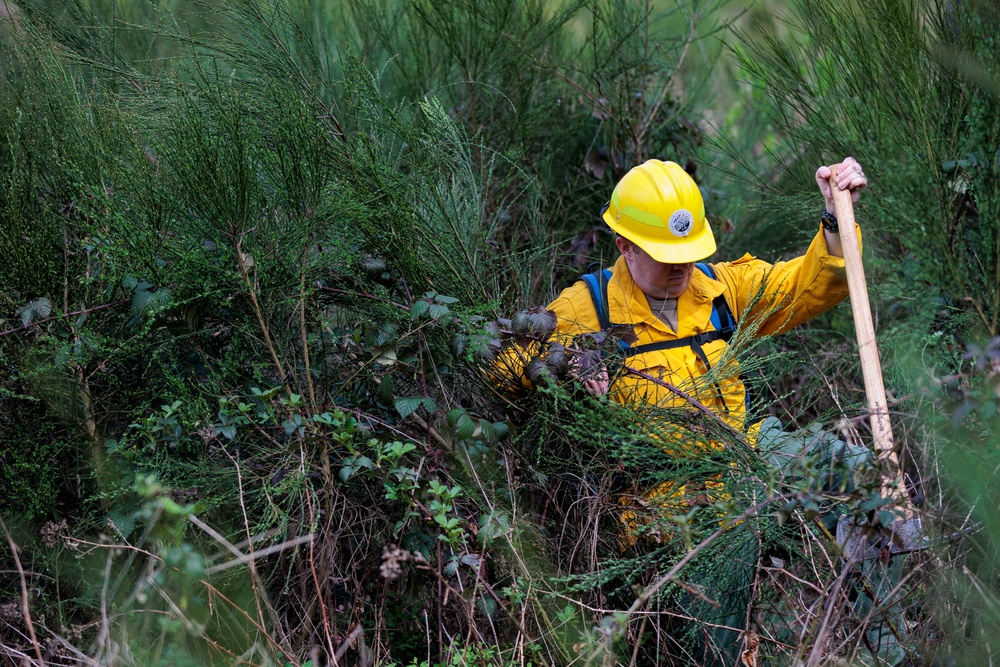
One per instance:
(909, 88)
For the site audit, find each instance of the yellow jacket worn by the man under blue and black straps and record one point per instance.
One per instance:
(764, 299)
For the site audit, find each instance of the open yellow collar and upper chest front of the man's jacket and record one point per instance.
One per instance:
(627, 304)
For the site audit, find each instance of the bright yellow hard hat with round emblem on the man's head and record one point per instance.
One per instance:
(658, 207)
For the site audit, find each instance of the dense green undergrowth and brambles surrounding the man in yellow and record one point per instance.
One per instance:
(255, 267)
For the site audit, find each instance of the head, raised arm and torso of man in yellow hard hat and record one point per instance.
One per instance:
(658, 213)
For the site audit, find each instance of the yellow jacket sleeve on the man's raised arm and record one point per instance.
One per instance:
(773, 298)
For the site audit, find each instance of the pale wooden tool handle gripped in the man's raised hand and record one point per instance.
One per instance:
(871, 368)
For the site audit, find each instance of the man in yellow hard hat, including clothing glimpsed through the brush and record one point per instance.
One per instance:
(683, 314)
